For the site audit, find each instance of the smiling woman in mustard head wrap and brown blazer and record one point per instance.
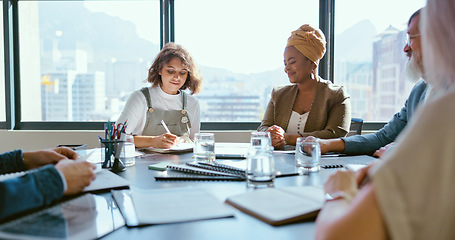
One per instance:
(311, 106)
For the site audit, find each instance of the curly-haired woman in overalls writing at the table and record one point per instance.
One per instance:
(172, 72)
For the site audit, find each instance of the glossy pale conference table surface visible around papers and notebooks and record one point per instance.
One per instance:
(242, 226)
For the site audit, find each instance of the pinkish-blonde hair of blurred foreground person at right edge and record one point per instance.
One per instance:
(438, 38)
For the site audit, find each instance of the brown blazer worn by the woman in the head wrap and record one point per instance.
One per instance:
(330, 114)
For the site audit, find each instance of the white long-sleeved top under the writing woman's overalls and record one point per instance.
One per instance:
(136, 108)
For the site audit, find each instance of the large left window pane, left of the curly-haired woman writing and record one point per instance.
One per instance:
(80, 60)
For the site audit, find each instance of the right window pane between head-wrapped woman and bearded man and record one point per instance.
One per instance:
(369, 58)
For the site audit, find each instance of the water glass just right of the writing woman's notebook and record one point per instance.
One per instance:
(204, 147)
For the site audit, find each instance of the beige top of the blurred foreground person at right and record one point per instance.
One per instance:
(414, 185)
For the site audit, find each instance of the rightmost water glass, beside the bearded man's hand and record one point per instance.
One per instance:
(307, 155)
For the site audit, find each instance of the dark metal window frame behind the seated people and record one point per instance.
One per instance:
(167, 33)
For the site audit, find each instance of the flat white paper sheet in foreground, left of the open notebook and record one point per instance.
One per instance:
(177, 205)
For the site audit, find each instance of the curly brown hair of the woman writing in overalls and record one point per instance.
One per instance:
(167, 53)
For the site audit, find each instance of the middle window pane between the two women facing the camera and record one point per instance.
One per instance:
(239, 47)
